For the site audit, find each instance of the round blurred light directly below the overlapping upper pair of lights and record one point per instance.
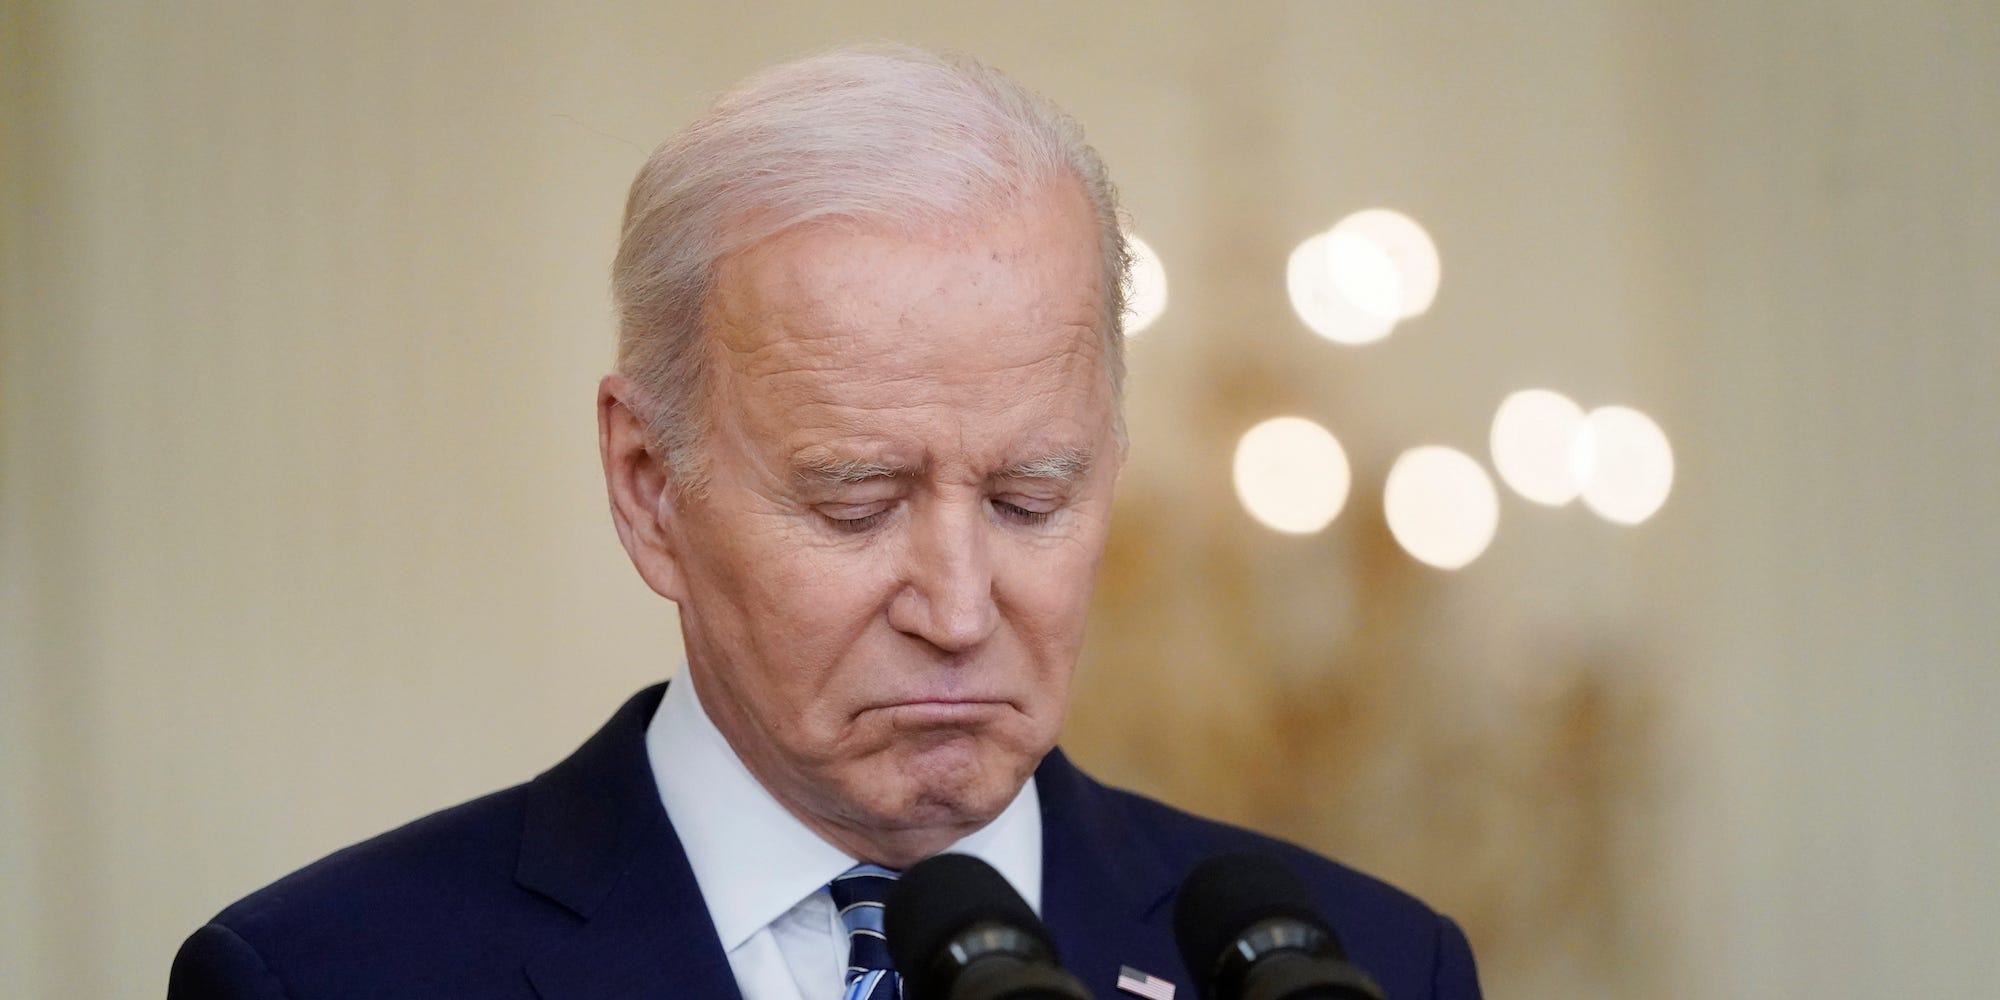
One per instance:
(1291, 475)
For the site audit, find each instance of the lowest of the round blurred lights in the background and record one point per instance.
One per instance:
(1441, 507)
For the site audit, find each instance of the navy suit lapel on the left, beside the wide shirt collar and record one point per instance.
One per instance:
(599, 843)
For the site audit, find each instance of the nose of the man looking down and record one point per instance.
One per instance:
(947, 595)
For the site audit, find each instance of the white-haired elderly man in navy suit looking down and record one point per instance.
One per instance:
(865, 433)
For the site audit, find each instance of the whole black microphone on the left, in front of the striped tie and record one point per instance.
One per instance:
(959, 931)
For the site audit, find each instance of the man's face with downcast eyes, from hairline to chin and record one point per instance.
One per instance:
(911, 471)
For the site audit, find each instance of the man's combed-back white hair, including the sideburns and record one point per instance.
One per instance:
(885, 137)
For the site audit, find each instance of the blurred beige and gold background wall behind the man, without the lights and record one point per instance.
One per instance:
(303, 535)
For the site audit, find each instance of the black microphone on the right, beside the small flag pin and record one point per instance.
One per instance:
(1249, 931)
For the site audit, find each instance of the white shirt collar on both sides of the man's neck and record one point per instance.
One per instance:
(751, 857)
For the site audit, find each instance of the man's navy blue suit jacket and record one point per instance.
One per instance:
(573, 887)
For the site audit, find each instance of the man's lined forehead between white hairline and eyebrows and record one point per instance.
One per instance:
(841, 339)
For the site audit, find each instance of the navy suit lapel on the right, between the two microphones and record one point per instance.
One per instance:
(1105, 889)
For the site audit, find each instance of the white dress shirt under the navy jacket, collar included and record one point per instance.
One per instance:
(765, 875)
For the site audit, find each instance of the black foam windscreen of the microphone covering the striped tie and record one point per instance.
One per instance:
(941, 897)
